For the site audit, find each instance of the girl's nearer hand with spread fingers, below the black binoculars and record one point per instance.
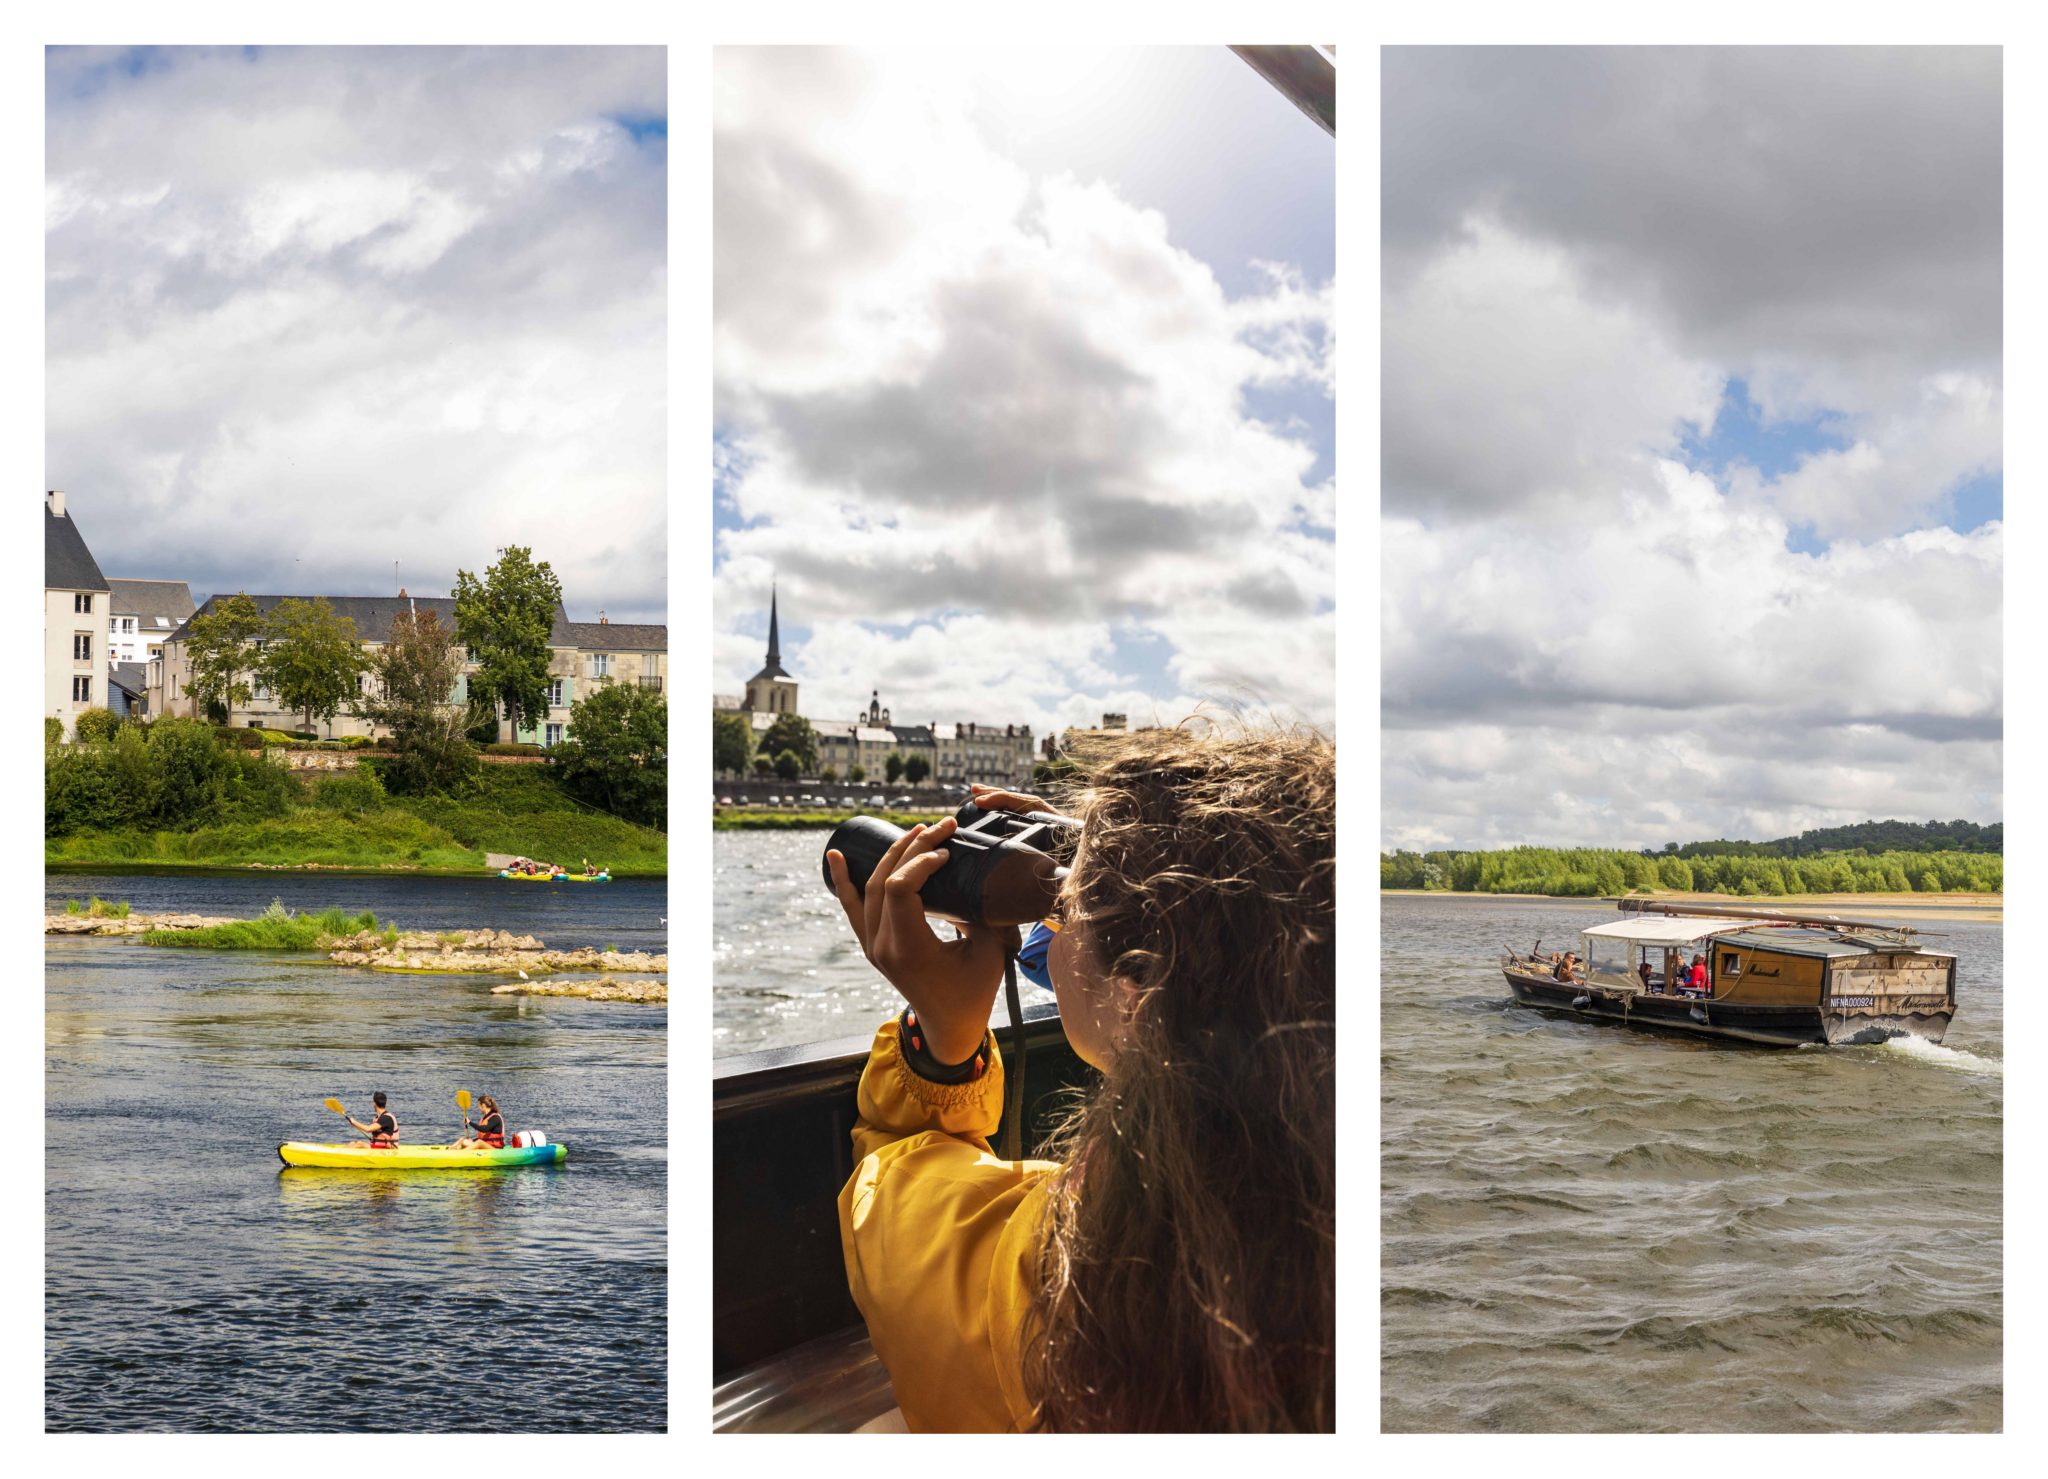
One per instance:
(949, 984)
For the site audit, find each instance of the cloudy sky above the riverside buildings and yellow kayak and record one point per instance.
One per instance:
(310, 312)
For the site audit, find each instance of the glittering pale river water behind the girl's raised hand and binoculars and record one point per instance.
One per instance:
(785, 964)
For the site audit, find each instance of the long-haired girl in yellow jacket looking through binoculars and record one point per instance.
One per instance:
(1172, 1265)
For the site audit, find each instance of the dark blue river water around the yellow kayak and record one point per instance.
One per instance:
(194, 1283)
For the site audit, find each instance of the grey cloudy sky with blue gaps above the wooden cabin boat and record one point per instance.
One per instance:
(1693, 417)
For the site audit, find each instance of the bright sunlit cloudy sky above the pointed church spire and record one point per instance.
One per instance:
(1023, 372)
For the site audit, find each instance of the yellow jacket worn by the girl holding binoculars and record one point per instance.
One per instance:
(941, 1244)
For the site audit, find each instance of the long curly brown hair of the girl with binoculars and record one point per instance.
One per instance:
(1187, 1279)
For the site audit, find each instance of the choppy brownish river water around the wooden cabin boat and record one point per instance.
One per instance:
(1603, 1230)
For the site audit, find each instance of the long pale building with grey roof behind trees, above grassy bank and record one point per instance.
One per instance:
(583, 657)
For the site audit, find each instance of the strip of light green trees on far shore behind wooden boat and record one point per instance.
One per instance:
(1611, 872)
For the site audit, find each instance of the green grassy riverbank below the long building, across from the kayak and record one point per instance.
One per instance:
(517, 810)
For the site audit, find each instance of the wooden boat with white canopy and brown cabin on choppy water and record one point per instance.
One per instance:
(1773, 976)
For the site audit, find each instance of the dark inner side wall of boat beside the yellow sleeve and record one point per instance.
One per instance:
(781, 1150)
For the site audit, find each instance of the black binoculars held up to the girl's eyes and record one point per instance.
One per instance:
(1002, 868)
